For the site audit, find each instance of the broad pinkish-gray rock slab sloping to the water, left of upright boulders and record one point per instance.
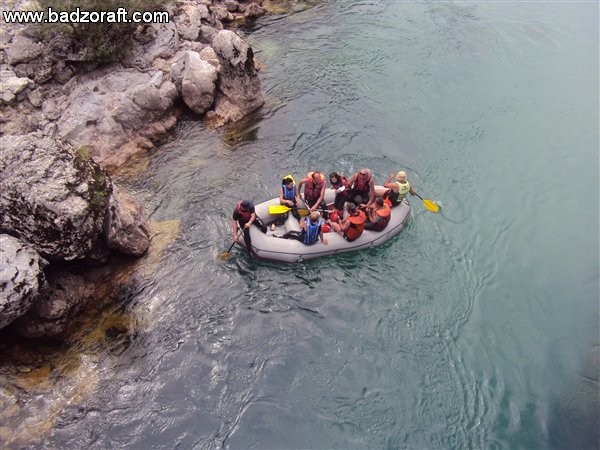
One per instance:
(114, 112)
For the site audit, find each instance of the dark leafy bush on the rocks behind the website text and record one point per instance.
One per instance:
(98, 42)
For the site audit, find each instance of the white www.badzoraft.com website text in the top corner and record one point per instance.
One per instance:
(121, 15)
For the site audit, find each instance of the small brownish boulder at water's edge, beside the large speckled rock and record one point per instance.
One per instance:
(126, 228)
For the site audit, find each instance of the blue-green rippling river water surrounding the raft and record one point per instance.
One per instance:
(474, 328)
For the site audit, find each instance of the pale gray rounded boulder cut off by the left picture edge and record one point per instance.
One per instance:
(21, 278)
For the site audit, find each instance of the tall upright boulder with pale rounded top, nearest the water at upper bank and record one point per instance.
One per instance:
(239, 91)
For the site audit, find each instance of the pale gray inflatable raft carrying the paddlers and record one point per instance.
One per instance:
(268, 246)
